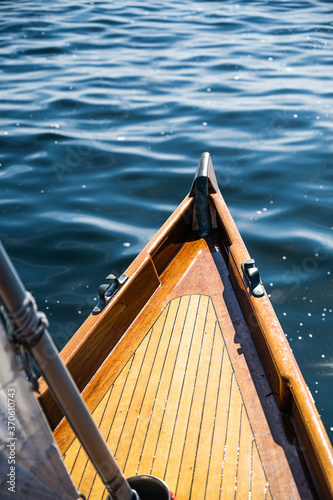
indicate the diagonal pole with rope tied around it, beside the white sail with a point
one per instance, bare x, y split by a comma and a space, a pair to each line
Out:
22, 311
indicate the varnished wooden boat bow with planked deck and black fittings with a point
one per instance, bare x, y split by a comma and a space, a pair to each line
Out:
188, 374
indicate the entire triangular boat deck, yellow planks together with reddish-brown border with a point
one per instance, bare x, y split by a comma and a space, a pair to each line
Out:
179, 397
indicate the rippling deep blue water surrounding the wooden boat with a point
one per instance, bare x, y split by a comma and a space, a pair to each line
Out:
105, 110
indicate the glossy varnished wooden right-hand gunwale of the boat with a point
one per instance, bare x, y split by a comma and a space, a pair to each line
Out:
292, 394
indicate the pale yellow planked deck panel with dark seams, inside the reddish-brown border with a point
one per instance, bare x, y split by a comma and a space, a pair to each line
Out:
175, 411
